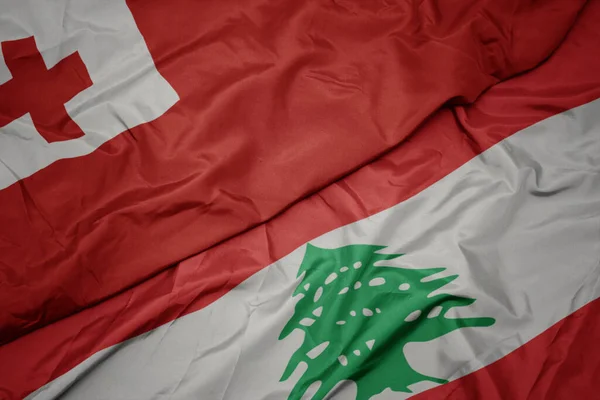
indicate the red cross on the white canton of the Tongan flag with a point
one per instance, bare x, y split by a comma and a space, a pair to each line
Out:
40, 91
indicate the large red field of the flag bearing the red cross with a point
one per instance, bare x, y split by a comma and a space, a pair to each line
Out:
277, 100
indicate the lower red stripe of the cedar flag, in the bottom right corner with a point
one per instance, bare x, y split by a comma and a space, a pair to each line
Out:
562, 363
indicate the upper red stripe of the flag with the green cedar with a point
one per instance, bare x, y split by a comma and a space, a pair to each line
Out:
447, 141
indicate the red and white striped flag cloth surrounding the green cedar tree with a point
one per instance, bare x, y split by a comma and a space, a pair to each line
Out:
178, 336
